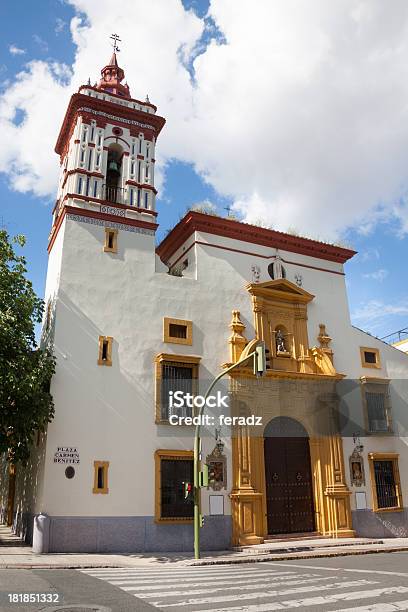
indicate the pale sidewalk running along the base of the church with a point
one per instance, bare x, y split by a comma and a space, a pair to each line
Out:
15, 554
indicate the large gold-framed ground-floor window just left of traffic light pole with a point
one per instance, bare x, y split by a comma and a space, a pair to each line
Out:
172, 469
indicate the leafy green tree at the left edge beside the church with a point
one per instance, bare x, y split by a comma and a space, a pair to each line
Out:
26, 405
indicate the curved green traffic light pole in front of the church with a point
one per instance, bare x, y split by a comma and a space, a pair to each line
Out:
258, 354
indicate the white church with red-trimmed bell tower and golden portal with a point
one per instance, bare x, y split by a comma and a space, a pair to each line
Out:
131, 321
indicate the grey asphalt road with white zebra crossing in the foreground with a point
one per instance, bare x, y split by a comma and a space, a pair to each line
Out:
364, 583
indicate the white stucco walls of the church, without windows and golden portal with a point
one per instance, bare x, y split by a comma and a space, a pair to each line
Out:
108, 414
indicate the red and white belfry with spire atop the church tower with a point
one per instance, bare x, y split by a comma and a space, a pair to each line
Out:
107, 152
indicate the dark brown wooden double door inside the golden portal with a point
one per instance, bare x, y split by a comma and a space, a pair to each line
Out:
289, 490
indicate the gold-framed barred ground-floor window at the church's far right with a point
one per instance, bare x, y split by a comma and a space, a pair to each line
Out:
385, 482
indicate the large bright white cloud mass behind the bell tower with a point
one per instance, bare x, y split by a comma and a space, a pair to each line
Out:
301, 117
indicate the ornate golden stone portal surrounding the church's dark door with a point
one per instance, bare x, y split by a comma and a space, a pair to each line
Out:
300, 384
